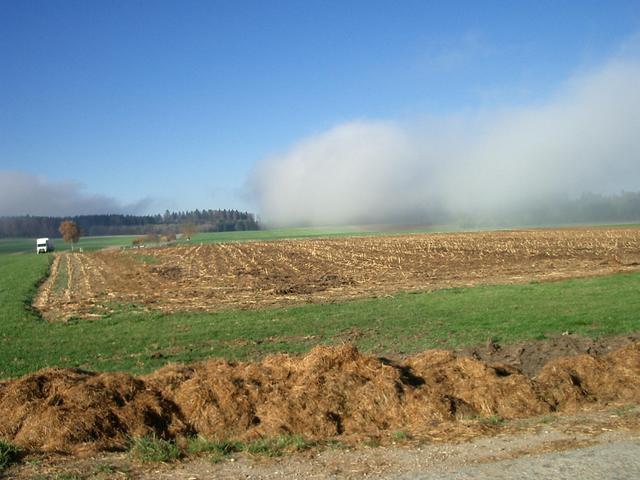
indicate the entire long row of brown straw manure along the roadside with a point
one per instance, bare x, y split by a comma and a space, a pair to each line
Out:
330, 392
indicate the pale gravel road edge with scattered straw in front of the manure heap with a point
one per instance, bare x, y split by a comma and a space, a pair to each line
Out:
592, 445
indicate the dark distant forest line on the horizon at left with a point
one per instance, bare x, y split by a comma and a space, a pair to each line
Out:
117, 224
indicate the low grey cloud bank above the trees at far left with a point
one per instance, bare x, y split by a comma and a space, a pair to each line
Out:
22, 194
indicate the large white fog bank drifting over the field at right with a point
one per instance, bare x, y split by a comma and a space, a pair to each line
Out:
584, 138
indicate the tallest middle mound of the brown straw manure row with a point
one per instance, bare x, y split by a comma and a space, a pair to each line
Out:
328, 392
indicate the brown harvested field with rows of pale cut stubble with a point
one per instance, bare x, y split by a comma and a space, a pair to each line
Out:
258, 274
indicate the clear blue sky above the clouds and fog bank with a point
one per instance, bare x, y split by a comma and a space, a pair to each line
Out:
146, 105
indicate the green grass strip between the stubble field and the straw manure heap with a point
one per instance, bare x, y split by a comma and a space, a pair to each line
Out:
140, 342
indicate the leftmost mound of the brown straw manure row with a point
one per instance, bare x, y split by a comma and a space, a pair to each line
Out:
67, 409
